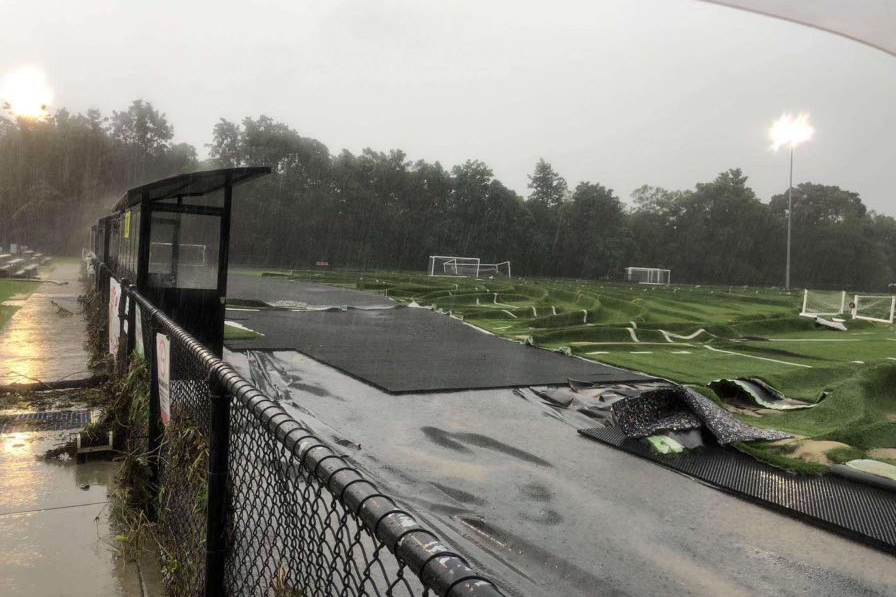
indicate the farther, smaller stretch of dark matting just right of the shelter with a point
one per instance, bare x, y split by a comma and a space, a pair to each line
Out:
273, 290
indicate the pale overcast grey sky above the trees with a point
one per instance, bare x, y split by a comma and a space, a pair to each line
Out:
621, 92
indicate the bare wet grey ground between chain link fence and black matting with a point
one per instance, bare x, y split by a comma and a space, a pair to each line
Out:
547, 512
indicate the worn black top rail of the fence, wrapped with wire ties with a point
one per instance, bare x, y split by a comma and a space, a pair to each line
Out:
439, 569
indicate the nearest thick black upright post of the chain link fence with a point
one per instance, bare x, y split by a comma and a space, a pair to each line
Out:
216, 521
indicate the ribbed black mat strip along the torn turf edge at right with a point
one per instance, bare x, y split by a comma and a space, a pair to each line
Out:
859, 511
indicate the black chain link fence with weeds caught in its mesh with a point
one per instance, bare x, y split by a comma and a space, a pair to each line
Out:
250, 502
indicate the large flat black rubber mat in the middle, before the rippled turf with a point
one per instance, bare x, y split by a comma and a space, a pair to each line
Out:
416, 350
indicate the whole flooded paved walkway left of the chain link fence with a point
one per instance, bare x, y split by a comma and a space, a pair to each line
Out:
55, 531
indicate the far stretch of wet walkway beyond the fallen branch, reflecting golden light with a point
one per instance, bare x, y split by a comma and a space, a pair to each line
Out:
44, 339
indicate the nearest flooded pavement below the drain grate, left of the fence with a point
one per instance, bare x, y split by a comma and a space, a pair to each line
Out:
54, 525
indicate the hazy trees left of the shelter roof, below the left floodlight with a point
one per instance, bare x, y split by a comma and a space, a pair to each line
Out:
60, 173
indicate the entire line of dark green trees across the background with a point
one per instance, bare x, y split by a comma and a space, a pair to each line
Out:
381, 210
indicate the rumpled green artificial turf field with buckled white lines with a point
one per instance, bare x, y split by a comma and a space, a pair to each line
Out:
692, 335
